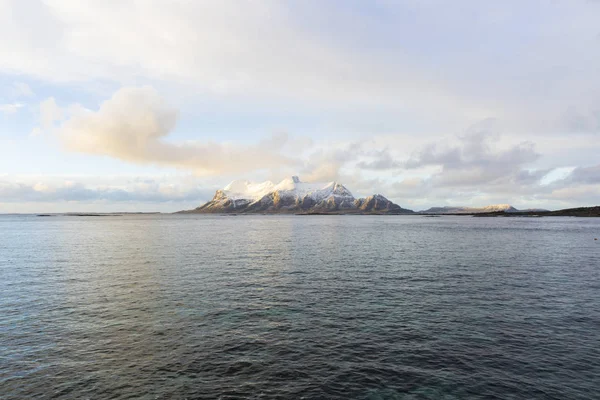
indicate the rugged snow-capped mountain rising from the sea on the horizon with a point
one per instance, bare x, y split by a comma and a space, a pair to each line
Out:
294, 196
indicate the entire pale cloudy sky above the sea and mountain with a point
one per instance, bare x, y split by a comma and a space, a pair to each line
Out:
125, 105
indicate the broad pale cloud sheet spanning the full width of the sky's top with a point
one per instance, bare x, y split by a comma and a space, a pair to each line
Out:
524, 63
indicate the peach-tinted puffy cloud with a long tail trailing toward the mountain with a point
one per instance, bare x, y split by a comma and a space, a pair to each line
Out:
133, 126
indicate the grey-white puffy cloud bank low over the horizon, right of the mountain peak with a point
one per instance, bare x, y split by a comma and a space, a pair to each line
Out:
479, 167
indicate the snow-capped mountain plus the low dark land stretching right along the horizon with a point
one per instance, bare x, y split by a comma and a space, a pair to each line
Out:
292, 196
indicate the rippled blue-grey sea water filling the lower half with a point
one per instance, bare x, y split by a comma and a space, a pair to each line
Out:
292, 307
